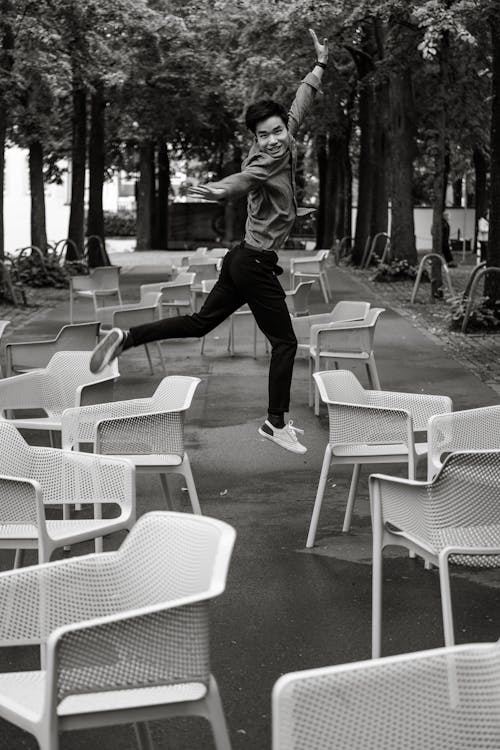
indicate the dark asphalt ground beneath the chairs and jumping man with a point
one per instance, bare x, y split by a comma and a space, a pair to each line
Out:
284, 608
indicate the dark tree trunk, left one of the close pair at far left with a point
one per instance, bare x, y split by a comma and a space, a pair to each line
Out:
76, 229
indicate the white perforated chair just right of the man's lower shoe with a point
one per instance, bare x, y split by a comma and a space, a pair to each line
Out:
369, 427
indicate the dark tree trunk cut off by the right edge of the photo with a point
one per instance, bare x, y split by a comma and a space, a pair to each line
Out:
492, 286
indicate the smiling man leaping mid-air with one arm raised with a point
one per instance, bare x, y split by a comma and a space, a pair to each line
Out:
250, 270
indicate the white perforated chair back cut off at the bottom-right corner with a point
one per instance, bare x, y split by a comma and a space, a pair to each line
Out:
444, 699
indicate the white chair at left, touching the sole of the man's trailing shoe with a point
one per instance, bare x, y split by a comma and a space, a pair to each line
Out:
22, 356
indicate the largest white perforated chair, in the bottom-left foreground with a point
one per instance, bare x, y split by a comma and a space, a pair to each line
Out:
126, 633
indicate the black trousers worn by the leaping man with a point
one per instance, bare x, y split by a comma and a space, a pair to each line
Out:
247, 276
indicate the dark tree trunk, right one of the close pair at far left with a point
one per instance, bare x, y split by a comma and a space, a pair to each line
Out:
95, 219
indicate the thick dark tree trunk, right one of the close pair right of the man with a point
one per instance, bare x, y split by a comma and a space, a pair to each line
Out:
402, 154
